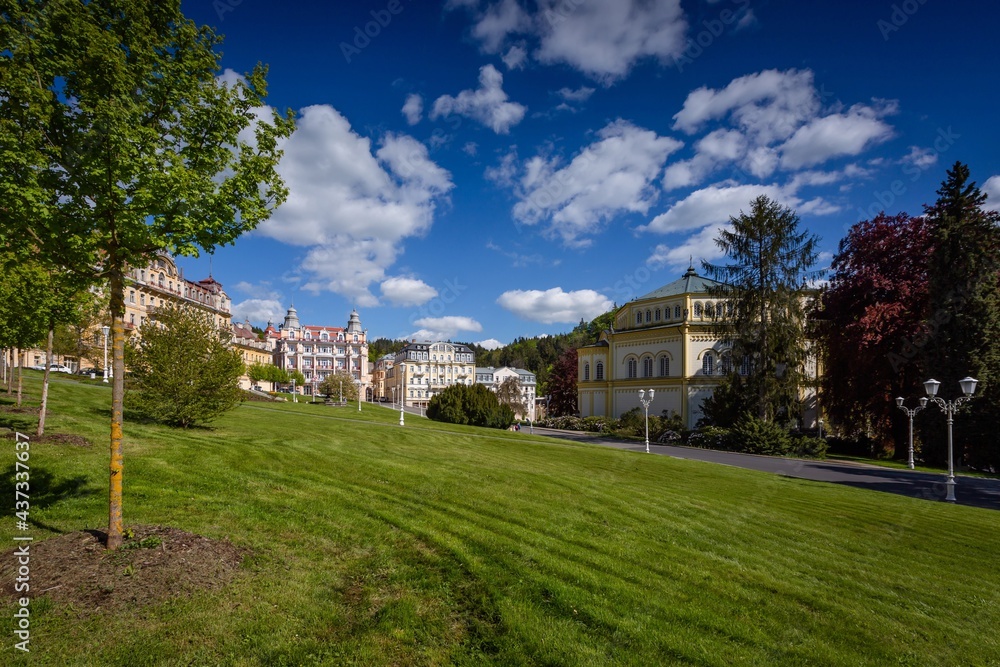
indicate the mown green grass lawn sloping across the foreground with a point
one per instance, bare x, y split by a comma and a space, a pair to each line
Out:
434, 544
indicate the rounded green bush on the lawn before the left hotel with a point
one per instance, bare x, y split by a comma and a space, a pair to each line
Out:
181, 370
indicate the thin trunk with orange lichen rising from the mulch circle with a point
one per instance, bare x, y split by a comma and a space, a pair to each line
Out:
117, 307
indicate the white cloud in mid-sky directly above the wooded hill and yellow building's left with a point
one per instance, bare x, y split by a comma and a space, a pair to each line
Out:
613, 175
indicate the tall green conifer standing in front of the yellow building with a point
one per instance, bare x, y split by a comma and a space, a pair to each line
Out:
769, 260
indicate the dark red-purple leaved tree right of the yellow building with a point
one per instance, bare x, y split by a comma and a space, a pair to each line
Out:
875, 301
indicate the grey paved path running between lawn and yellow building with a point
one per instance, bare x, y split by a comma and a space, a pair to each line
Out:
975, 491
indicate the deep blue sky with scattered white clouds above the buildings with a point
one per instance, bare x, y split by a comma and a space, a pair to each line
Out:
481, 170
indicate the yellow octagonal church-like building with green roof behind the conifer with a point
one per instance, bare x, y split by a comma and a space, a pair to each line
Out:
664, 341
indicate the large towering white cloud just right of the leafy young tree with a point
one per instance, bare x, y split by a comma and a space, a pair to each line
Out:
351, 207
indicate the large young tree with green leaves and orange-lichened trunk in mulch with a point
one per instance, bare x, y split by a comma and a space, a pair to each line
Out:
120, 140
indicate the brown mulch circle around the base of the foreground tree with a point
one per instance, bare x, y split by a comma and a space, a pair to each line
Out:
155, 563
